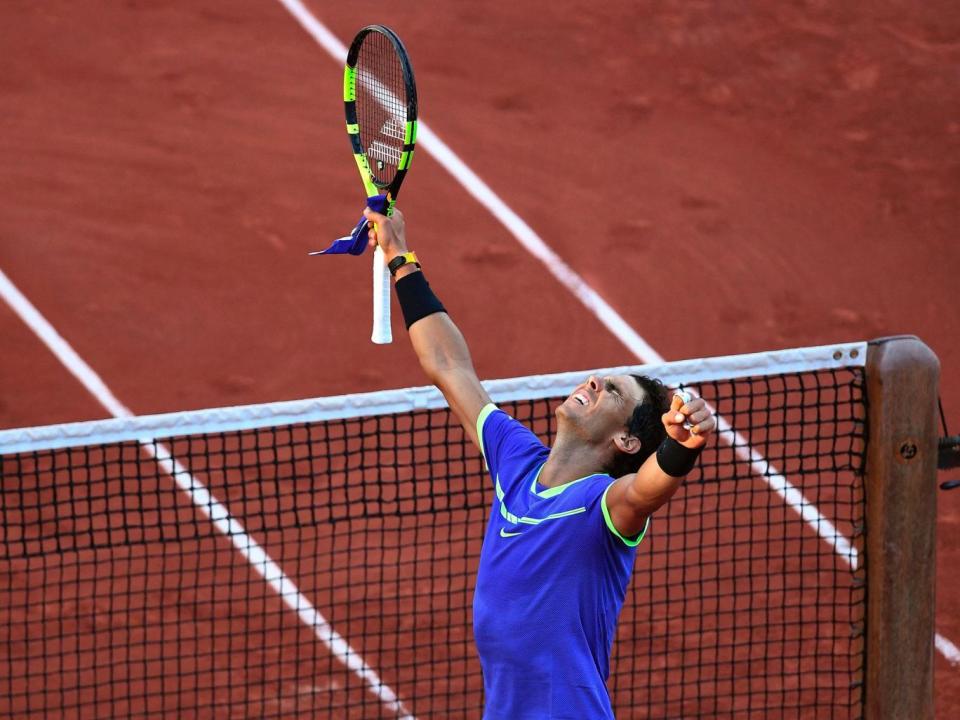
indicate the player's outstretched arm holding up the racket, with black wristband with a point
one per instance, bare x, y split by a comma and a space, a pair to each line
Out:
439, 345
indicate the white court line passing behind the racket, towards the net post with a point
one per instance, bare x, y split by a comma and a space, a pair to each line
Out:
602, 310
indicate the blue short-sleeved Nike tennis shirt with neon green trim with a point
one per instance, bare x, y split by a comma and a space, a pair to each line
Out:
552, 579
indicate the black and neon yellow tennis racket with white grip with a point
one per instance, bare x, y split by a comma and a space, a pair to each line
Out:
380, 99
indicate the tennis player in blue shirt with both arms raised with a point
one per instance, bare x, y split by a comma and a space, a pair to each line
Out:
566, 520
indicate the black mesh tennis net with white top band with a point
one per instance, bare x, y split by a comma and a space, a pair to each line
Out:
318, 557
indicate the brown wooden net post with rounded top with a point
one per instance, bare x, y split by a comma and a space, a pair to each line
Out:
902, 379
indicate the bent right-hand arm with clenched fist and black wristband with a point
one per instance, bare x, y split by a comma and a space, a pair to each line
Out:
633, 498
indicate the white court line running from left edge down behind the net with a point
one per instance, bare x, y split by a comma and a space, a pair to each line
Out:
218, 514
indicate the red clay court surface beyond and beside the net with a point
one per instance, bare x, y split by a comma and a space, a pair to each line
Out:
735, 179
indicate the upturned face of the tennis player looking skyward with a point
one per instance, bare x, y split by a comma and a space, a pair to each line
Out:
602, 405
